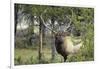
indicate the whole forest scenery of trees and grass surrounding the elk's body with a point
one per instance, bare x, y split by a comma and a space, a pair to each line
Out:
34, 39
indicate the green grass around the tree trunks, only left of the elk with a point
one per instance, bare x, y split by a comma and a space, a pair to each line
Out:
30, 56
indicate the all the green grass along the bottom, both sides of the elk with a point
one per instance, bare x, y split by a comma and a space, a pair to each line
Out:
30, 56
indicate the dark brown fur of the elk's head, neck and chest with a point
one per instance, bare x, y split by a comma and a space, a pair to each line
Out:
59, 41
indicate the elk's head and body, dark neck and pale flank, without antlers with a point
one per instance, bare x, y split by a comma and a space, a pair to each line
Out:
64, 45
